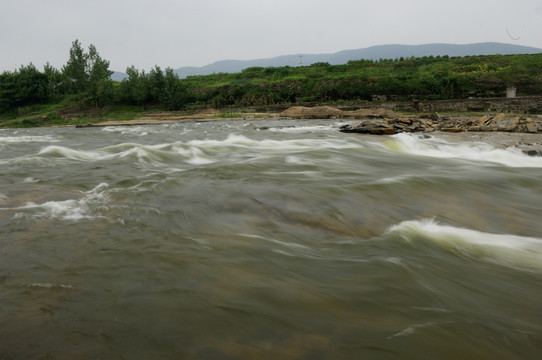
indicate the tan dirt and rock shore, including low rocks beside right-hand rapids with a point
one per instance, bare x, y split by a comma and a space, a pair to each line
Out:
499, 130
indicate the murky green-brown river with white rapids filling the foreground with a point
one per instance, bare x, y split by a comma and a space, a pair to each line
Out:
265, 240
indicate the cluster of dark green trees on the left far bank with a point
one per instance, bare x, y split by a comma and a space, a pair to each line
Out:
86, 77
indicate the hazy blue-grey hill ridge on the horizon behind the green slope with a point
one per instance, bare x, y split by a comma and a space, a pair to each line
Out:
342, 57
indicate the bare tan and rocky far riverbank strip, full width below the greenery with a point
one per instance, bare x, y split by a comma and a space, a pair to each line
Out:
374, 121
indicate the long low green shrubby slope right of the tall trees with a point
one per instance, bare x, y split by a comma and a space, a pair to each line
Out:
428, 78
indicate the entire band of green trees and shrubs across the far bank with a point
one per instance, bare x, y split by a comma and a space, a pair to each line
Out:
83, 90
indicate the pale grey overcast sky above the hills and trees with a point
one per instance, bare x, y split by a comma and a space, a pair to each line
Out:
179, 33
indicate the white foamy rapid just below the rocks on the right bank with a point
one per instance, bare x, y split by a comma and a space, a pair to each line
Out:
473, 151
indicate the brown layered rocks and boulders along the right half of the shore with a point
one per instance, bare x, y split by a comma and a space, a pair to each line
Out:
522, 132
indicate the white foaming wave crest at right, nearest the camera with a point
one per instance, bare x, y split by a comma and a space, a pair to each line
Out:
511, 250
